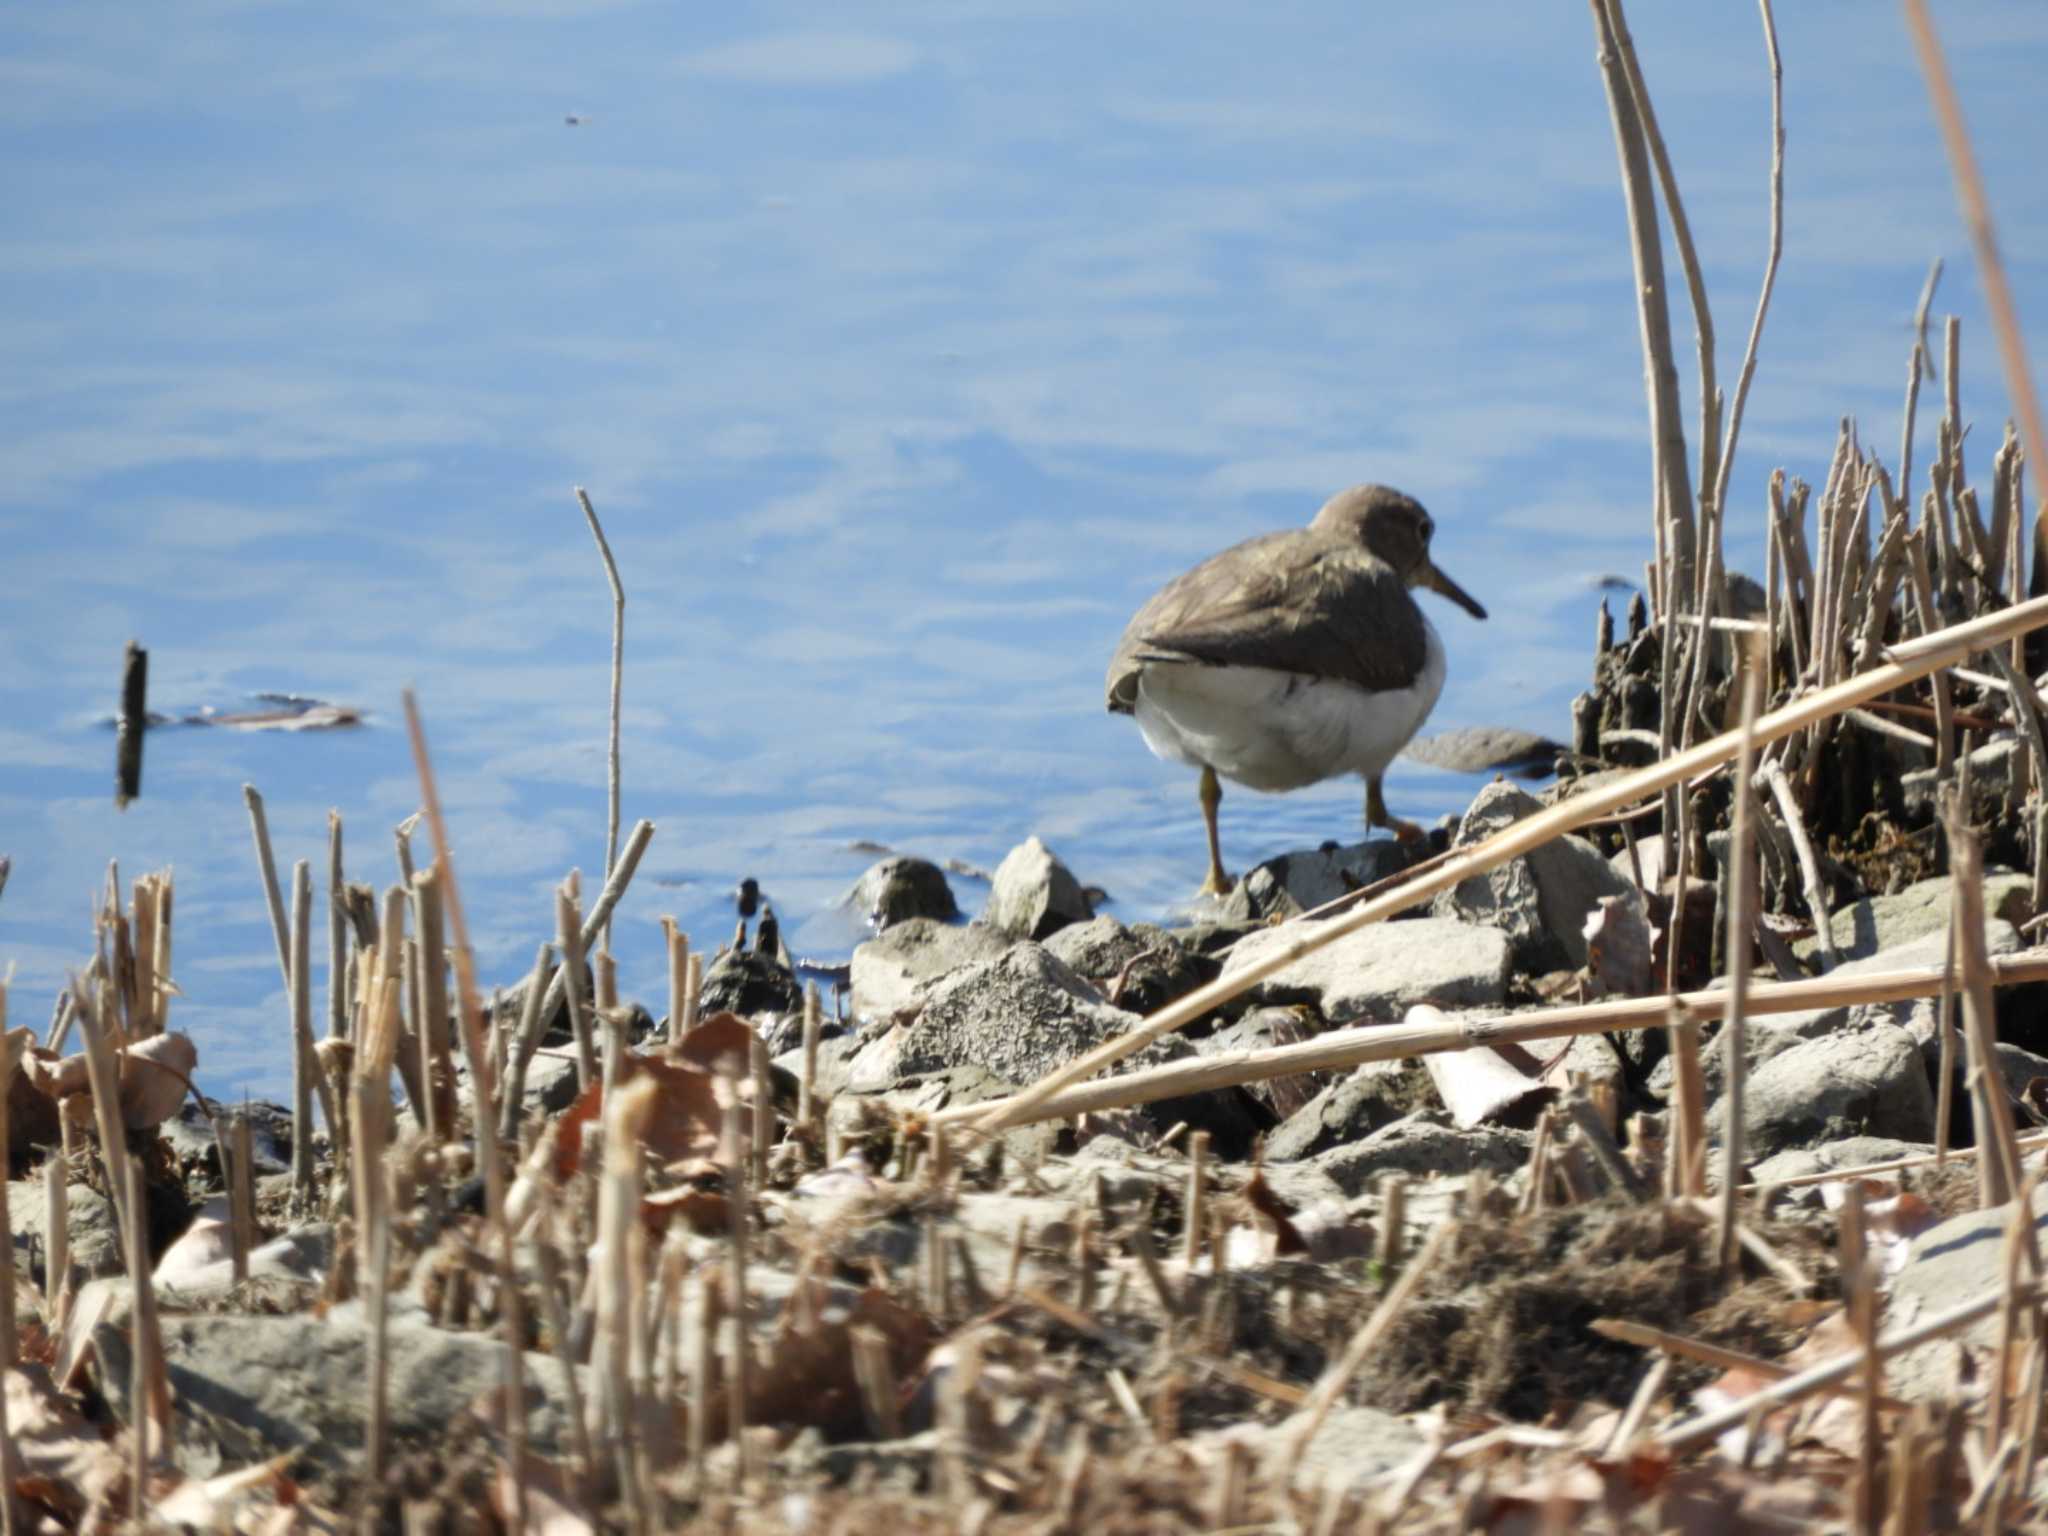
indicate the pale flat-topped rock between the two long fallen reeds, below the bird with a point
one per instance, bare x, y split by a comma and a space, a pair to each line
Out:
1385, 970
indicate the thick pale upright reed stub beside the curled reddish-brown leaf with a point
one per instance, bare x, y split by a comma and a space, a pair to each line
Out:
620, 1195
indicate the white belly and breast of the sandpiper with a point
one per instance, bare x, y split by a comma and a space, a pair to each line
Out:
1281, 730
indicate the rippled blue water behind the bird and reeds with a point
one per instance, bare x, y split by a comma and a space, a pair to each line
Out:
904, 357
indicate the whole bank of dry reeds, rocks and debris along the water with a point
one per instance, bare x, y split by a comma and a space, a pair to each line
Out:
1478, 1187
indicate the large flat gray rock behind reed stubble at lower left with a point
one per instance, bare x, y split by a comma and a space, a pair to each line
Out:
255, 1388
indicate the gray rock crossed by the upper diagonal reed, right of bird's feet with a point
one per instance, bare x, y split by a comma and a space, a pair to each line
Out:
1539, 900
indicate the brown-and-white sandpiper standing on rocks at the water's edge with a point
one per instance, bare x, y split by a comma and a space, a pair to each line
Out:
1293, 656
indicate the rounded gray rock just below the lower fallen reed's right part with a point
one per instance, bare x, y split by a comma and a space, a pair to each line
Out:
1850, 1084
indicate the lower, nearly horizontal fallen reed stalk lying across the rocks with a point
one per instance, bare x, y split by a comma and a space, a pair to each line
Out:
1353, 1048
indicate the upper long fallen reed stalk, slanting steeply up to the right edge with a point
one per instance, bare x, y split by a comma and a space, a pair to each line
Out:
1912, 660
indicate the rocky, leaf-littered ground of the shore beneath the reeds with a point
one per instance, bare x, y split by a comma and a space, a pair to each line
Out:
1299, 1297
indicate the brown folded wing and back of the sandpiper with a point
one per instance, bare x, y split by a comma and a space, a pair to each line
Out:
1285, 601
